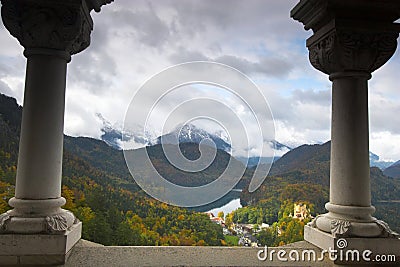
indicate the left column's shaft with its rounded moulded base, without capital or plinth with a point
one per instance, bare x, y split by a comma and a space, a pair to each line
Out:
38, 181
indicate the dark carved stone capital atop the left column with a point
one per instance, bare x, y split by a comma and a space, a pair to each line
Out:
47, 24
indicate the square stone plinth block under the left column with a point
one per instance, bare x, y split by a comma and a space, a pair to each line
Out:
38, 249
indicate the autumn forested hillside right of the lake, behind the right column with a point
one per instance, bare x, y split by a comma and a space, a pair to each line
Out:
302, 175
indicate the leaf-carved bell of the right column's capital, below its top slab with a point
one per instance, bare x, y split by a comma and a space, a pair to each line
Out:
351, 50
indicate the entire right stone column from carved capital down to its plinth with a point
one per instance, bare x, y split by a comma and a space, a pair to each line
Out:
350, 41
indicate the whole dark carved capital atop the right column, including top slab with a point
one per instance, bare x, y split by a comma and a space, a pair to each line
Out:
358, 35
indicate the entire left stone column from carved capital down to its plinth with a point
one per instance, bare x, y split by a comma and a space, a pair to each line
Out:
50, 31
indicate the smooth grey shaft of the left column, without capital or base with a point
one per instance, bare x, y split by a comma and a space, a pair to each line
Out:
41, 141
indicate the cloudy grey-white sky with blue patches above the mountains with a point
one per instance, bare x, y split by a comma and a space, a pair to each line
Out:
134, 40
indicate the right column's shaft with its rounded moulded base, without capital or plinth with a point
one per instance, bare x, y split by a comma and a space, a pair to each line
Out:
349, 207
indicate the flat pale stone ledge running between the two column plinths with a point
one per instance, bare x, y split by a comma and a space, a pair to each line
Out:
83, 254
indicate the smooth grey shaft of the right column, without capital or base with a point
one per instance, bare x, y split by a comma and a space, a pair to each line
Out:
350, 179
